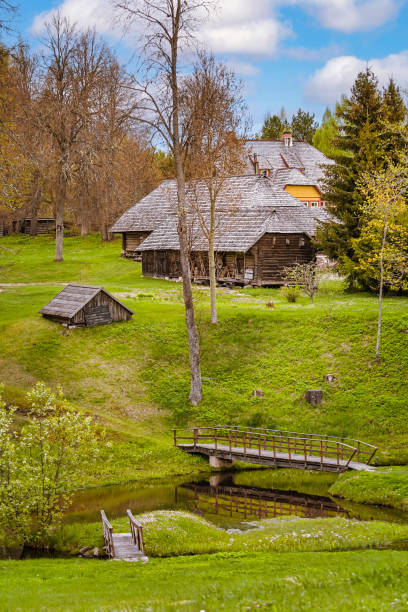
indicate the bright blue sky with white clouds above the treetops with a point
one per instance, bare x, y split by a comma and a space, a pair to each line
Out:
291, 53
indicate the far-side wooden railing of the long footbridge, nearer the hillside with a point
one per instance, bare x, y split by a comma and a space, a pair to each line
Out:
364, 452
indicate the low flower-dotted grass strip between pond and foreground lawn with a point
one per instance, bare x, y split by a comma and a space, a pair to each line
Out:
170, 533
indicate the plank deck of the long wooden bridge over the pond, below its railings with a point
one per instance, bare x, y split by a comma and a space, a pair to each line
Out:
280, 459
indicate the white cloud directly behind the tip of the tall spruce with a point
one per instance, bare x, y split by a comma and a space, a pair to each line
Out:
338, 75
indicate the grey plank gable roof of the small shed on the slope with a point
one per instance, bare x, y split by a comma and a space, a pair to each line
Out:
72, 298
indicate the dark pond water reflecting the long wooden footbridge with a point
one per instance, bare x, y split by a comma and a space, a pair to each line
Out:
228, 499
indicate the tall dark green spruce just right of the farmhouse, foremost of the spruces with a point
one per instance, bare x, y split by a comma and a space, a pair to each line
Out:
359, 147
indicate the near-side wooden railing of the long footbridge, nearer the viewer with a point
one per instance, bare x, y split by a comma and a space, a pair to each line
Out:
245, 442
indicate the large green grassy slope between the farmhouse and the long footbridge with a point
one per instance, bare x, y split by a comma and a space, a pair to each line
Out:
134, 376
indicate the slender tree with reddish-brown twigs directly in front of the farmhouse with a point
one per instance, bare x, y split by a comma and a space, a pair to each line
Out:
214, 113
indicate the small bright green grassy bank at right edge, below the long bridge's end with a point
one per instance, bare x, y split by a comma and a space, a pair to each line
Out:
386, 486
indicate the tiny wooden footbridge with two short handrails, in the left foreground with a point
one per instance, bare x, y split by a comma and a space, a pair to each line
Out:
124, 546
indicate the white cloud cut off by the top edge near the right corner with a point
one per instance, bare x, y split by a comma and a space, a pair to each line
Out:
352, 15
